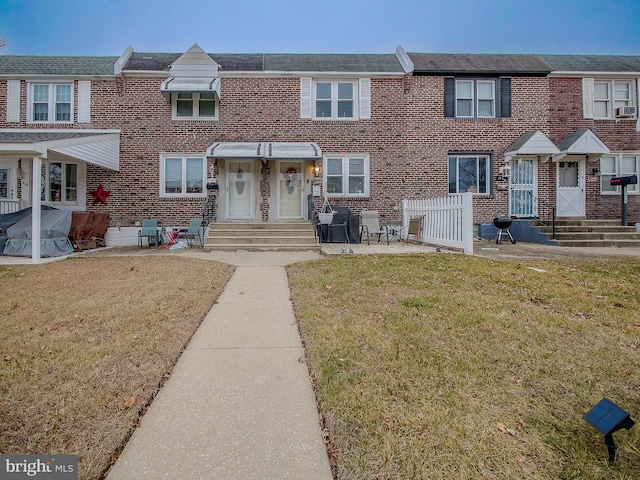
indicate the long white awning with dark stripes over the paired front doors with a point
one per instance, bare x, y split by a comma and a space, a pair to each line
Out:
265, 150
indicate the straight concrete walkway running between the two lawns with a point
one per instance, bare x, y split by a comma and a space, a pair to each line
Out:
239, 404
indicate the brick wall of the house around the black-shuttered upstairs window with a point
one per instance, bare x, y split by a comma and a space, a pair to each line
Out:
430, 137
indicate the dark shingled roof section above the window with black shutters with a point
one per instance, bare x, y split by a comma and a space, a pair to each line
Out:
478, 64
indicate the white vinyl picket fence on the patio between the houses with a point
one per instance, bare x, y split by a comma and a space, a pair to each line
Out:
447, 221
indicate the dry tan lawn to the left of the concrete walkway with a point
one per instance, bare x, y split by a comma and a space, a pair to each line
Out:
86, 344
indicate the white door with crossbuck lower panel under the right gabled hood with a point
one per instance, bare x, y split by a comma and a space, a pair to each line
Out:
570, 197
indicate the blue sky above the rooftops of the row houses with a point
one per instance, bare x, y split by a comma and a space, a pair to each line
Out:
107, 27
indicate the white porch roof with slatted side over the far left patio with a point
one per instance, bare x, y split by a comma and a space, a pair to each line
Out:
98, 147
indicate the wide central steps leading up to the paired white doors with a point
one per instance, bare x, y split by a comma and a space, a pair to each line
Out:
283, 236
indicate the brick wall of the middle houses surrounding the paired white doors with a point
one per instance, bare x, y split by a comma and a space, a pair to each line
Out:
252, 110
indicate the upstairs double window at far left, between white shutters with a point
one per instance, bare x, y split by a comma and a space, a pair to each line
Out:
51, 103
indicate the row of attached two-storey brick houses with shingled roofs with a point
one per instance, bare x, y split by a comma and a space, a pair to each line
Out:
264, 137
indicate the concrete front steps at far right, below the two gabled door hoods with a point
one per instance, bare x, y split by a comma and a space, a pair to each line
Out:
578, 232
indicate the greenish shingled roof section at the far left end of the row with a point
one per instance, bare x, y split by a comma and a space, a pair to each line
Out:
41, 65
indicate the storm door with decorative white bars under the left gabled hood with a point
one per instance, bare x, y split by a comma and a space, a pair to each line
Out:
522, 188
